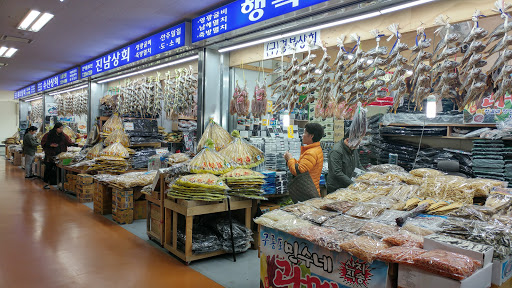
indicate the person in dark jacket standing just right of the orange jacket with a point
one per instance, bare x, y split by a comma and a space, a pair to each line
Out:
343, 160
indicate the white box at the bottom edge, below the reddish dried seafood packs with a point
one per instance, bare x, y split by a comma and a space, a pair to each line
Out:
412, 277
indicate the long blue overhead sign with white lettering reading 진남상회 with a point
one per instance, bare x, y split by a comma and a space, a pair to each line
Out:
160, 42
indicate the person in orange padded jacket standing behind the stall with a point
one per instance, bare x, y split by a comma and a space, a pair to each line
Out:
311, 156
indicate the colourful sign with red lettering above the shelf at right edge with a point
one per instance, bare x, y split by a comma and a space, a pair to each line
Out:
488, 111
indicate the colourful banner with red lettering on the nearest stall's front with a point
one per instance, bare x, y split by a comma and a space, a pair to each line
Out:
287, 261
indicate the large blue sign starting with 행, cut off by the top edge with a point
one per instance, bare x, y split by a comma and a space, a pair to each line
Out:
243, 13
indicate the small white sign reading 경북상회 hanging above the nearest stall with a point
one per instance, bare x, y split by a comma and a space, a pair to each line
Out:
272, 49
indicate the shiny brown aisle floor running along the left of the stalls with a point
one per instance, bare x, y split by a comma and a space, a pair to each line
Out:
50, 240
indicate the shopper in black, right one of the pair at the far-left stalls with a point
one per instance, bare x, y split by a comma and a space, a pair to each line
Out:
54, 143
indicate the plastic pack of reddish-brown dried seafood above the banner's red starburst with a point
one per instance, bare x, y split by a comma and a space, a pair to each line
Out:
364, 248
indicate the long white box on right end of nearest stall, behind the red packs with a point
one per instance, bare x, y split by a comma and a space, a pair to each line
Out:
432, 242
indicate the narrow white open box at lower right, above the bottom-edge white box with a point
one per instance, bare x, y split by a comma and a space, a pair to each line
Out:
484, 257
